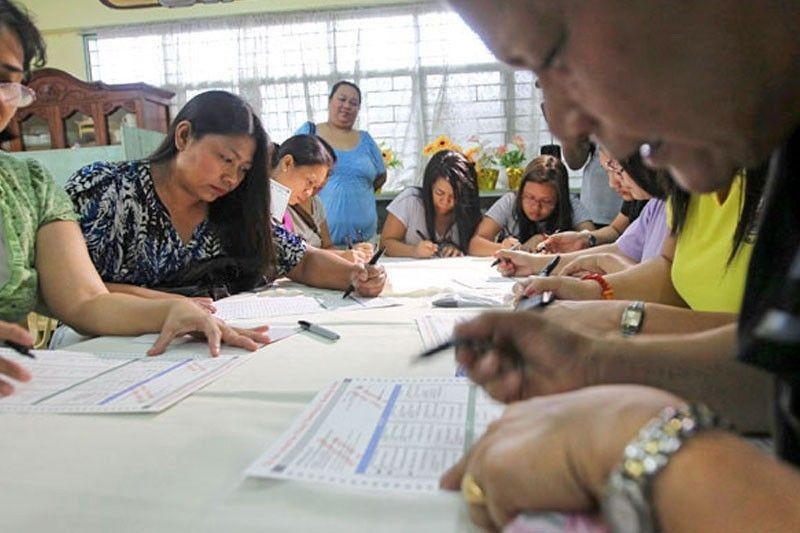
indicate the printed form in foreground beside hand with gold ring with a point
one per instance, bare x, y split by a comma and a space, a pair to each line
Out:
381, 433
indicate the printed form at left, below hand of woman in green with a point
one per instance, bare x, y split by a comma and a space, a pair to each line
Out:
73, 382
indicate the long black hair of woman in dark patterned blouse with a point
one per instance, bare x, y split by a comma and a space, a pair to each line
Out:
241, 216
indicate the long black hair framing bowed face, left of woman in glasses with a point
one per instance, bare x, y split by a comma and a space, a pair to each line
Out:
459, 172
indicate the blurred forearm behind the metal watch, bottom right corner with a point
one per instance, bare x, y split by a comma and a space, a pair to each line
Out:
718, 482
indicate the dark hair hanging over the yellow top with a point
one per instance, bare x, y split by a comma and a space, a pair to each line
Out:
755, 180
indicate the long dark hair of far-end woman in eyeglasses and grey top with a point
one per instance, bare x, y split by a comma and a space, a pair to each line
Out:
547, 170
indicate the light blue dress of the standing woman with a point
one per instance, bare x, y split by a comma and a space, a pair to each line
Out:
349, 195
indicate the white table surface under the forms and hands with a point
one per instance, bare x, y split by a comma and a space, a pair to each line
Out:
182, 470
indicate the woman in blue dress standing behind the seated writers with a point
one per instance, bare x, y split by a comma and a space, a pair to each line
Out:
349, 196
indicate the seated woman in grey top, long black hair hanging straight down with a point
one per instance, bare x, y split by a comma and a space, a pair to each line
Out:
439, 218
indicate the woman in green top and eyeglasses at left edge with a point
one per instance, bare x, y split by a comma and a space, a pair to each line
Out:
44, 263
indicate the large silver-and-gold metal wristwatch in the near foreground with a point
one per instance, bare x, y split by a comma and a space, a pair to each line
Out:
626, 502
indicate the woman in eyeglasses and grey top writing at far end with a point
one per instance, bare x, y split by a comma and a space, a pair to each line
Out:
541, 206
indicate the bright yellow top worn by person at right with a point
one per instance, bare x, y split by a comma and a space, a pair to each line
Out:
700, 270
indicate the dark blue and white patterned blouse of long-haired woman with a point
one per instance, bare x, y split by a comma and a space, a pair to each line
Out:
129, 232
